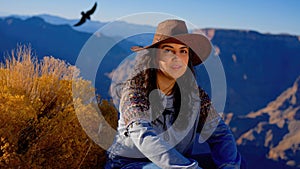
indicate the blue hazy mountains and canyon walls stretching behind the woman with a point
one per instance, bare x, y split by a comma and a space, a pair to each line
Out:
262, 74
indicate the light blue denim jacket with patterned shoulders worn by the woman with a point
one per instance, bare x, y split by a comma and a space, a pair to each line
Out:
140, 139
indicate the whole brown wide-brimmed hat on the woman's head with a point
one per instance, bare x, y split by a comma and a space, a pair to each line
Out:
176, 31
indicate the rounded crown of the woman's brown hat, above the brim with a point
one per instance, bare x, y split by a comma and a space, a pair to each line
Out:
169, 28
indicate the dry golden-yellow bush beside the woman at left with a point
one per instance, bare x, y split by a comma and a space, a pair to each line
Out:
38, 124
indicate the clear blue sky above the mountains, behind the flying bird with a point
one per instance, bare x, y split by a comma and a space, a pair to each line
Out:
265, 16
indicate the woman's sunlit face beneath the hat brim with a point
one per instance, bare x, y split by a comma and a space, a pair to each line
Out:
172, 59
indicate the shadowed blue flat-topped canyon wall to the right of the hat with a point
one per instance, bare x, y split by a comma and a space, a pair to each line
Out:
260, 65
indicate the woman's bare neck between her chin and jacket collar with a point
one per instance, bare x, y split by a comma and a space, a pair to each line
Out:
165, 83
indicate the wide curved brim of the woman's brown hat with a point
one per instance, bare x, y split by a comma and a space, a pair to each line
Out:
200, 45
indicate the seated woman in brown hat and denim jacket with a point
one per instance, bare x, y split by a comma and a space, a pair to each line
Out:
162, 108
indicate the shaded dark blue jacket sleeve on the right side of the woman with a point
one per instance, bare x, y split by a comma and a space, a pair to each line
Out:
218, 135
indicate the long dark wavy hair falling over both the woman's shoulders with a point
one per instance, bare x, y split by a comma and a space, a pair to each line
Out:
145, 82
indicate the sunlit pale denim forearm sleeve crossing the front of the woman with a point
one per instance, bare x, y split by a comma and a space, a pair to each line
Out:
156, 149
